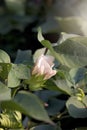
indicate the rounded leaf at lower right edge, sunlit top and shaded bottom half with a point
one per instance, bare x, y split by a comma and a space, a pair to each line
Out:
76, 108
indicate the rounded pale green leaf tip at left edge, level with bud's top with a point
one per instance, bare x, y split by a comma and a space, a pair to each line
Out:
4, 57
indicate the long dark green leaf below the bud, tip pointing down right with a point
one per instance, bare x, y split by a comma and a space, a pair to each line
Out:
28, 104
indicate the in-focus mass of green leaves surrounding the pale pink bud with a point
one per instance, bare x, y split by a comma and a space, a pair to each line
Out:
44, 102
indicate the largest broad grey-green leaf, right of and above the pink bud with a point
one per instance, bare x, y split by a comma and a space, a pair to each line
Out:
72, 52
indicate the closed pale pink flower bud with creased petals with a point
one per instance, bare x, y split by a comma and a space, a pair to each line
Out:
44, 66
